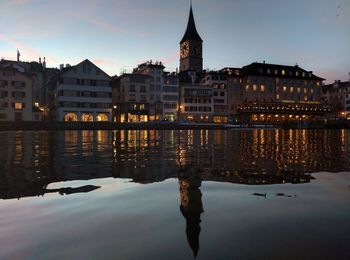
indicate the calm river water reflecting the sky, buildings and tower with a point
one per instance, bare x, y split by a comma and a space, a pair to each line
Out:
210, 194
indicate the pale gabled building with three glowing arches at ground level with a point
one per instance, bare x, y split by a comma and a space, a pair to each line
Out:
81, 93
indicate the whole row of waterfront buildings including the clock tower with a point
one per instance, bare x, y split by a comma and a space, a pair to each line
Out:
256, 93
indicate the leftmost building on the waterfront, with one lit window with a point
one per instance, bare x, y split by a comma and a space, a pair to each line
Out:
16, 95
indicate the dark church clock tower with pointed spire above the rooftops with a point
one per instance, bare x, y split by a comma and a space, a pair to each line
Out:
191, 48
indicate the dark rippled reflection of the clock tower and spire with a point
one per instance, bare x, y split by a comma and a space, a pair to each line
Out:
191, 206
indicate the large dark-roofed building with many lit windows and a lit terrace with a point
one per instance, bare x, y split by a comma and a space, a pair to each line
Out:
280, 94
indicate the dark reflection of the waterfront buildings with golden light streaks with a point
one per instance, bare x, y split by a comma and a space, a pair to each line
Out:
29, 161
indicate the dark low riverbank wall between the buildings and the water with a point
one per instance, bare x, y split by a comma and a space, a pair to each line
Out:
50, 126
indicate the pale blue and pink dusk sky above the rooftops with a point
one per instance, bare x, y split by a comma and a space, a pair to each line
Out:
119, 34
